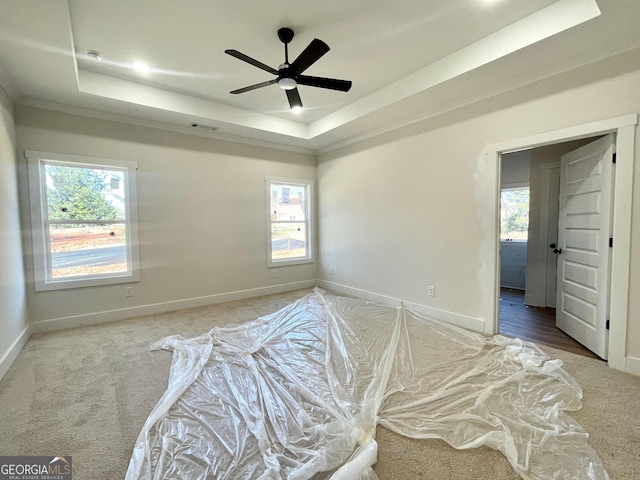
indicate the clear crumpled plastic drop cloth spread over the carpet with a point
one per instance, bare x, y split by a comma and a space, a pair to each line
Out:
298, 394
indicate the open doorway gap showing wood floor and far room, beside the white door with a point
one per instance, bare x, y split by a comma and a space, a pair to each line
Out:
527, 301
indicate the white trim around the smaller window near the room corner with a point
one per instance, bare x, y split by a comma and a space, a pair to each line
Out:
310, 219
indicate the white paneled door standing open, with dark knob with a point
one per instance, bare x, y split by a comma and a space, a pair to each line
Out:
584, 226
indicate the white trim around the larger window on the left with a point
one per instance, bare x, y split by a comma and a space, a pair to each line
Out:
37, 195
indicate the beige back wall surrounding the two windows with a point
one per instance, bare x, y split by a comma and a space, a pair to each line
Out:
202, 217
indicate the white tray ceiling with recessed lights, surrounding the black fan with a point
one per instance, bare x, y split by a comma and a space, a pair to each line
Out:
407, 60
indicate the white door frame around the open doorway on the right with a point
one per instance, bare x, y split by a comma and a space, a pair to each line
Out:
624, 128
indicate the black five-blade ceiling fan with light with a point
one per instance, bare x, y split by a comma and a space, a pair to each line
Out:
289, 75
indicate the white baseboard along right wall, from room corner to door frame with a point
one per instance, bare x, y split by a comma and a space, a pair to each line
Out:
463, 321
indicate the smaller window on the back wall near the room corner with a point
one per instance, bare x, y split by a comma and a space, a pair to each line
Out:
290, 231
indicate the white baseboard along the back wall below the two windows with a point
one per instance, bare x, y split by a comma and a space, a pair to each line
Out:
121, 314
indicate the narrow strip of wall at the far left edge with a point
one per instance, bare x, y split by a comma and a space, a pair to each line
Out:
13, 305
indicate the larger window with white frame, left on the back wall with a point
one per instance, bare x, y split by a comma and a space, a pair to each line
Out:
84, 222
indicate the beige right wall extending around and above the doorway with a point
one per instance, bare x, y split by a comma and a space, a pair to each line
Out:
411, 208
